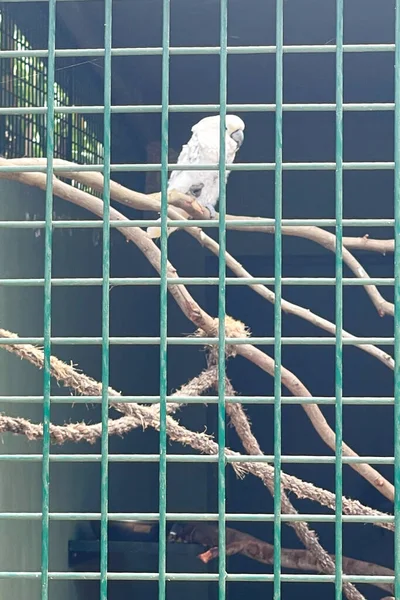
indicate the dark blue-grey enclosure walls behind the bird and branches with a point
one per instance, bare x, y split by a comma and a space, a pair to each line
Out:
308, 136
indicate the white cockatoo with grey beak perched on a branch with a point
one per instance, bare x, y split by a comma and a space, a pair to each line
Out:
203, 148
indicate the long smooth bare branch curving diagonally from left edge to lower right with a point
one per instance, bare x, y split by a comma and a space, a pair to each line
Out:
202, 320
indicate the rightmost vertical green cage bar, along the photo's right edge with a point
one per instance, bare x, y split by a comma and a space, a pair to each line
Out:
397, 303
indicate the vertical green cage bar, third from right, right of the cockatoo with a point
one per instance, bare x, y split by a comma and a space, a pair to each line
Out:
278, 298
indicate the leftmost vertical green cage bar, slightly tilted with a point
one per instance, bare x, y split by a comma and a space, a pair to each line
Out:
47, 302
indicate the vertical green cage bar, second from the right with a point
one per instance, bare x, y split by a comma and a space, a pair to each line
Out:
339, 301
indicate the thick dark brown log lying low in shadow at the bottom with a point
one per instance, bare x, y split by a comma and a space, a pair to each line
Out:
237, 542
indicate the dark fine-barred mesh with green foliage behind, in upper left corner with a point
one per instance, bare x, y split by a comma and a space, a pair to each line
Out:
23, 85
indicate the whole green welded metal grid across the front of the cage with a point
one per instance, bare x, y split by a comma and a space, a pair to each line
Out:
50, 111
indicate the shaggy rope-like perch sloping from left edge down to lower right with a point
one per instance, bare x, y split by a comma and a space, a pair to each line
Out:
143, 416
